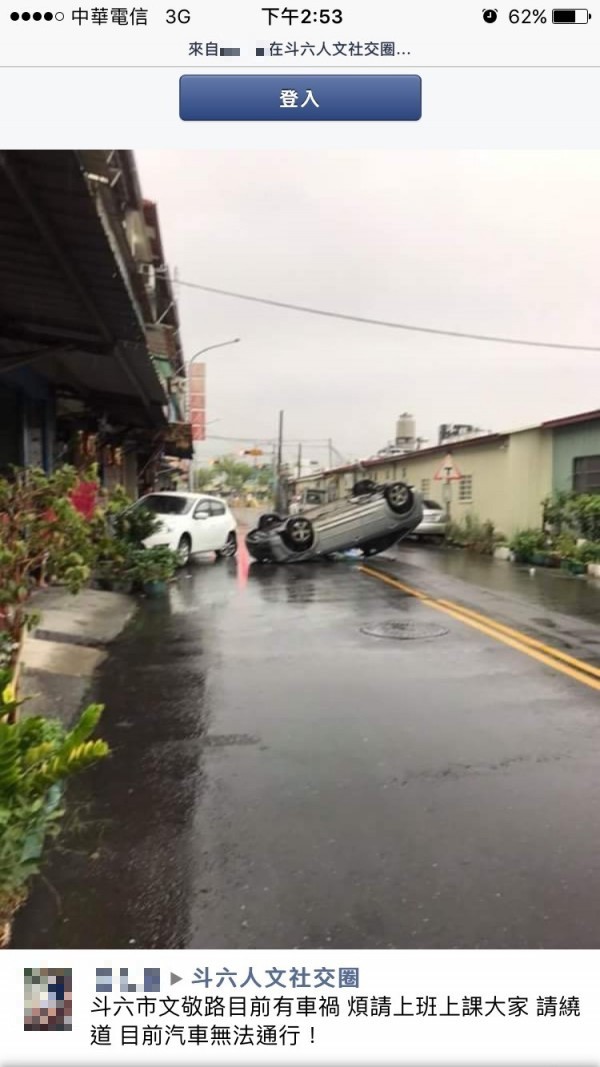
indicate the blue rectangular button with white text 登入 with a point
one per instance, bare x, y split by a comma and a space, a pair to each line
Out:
301, 99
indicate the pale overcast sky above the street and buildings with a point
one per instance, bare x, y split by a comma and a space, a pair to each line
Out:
496, 243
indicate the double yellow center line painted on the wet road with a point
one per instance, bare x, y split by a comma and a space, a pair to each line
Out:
576, 670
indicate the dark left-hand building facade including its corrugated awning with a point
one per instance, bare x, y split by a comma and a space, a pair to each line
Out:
77, 379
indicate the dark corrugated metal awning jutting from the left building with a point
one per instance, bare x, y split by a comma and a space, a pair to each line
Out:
66, 308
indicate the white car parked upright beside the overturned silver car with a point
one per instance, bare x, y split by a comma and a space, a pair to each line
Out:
192, 523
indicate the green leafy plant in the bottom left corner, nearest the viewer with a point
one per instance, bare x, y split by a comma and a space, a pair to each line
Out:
37, 757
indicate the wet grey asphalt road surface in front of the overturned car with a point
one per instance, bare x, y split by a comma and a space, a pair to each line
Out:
281, 779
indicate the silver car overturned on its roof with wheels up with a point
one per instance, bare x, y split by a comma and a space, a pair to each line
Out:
372, 519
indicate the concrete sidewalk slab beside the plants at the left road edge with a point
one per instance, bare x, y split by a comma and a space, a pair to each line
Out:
62, 654
